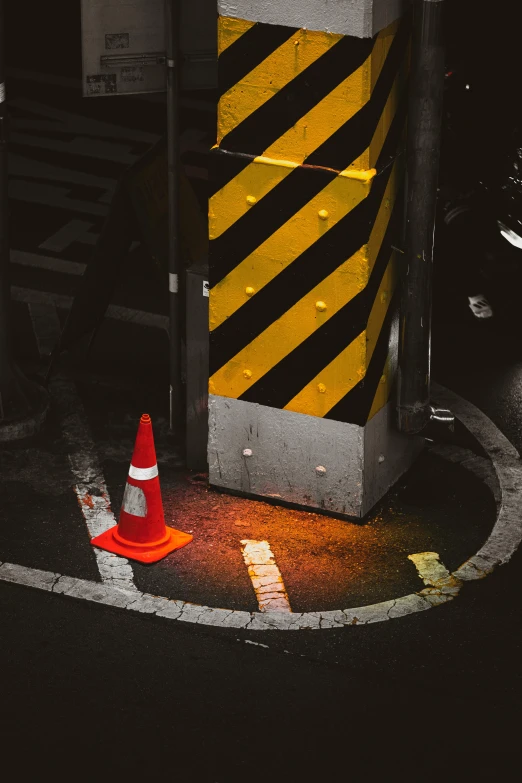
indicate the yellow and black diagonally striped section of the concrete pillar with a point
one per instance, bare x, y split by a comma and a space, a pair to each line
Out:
276, 251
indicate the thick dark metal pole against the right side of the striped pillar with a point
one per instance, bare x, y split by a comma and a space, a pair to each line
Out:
424, 128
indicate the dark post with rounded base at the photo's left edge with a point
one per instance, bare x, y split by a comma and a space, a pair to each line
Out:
23, 404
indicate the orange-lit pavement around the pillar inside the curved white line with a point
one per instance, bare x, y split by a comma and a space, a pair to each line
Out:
295, 570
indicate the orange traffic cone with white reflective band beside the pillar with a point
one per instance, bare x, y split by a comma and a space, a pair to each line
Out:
141, 533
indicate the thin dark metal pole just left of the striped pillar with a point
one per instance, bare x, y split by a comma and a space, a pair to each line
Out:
172, 26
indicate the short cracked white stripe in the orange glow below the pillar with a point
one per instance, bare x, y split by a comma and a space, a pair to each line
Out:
265, 576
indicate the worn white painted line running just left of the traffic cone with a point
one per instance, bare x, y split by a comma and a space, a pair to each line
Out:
90, 487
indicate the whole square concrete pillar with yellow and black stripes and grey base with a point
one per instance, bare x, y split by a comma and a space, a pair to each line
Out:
307, 196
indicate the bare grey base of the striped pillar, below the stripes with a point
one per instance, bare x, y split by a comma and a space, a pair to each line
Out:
305, 460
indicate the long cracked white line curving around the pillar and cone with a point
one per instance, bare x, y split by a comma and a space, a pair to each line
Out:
441, 586
